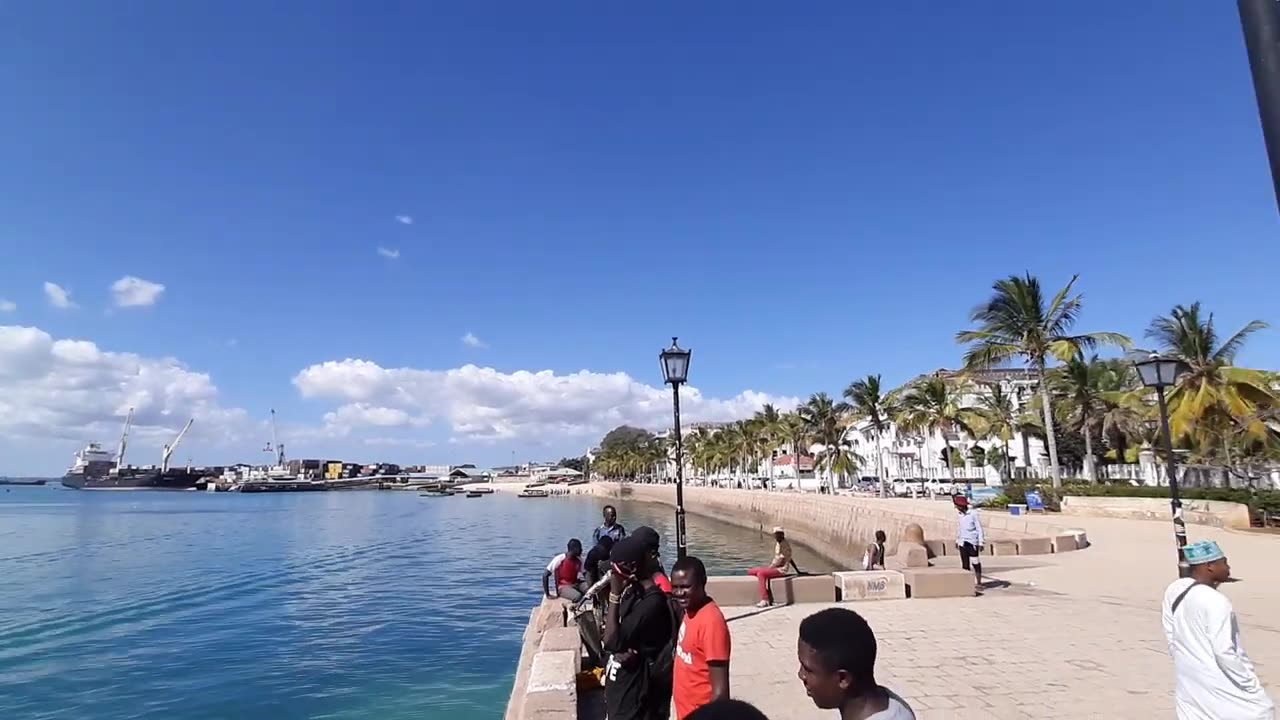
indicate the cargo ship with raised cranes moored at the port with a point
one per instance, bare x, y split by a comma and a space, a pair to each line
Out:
98, 470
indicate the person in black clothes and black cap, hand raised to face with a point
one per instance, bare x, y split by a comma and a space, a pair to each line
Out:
639, 634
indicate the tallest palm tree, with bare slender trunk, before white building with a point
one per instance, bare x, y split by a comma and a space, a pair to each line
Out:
1016, 323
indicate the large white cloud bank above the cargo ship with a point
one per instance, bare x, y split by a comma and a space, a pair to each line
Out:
75, 391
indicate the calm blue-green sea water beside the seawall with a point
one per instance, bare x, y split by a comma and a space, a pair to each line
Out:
344, 605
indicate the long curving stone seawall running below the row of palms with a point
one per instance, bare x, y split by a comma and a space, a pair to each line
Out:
840, 527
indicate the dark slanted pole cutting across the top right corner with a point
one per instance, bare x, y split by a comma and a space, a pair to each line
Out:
1260, 20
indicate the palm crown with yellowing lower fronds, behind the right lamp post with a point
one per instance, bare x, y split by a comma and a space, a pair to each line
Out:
1214, 395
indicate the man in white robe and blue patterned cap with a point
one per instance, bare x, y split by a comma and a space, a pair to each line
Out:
1214, 680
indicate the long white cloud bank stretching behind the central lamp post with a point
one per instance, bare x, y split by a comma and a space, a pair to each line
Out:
483, 404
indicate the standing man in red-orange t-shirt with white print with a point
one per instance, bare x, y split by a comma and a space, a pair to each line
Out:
703, 645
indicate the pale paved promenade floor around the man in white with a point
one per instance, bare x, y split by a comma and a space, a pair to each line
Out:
1072, 636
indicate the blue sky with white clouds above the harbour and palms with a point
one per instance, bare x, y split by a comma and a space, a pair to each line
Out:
804, 195
